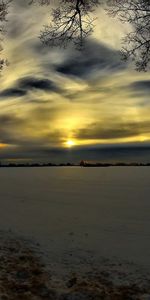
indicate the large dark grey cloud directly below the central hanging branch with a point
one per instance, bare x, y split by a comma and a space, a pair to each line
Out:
93, 58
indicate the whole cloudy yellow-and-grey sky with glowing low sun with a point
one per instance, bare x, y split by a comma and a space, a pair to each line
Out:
64, 105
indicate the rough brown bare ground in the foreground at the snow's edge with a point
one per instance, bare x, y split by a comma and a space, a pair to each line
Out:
24, 277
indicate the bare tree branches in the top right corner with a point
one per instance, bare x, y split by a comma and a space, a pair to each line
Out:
136, 44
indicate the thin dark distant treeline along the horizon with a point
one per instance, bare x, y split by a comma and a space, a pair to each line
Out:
81, 164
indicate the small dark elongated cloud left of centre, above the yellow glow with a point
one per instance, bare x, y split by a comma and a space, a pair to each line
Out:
29, 83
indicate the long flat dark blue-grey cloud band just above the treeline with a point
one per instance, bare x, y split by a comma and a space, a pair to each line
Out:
129, 153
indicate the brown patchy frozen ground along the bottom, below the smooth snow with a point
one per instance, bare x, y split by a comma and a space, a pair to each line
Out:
24, 276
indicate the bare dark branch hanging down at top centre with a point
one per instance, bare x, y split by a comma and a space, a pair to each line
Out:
72, 22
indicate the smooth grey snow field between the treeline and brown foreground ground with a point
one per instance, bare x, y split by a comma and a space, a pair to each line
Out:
80, 215
